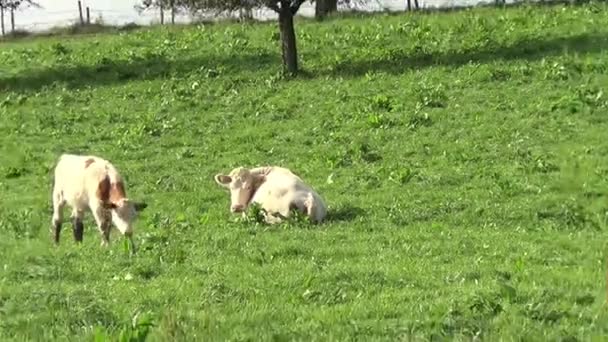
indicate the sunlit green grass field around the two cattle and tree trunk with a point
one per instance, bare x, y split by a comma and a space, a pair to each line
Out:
463, 156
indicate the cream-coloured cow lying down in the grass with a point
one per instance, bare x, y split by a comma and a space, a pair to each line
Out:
277, 190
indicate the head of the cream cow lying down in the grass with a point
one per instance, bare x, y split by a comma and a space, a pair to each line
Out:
242, 184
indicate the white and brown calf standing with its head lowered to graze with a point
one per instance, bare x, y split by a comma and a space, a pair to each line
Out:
91, 182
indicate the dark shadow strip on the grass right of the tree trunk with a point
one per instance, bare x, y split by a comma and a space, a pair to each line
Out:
527, 49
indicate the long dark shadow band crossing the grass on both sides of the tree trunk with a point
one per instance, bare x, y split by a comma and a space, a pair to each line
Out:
108, 71
